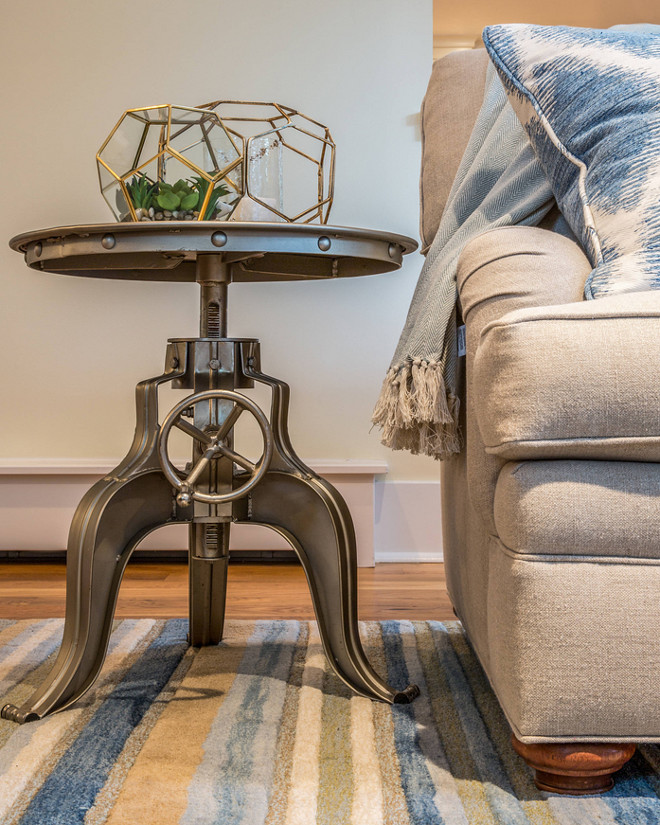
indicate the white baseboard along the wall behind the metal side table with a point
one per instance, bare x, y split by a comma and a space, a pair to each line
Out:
395, 521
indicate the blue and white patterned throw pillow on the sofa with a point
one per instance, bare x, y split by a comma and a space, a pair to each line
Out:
589, 100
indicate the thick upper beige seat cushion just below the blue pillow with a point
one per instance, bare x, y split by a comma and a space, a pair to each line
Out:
572, 381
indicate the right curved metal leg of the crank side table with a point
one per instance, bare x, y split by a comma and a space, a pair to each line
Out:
315, 520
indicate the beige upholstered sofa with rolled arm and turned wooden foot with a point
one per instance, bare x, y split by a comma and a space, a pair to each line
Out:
551, 512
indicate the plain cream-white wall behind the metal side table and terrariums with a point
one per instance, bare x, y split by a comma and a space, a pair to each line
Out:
74, 348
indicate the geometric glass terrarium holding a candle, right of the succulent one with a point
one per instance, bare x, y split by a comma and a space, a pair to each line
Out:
289, 162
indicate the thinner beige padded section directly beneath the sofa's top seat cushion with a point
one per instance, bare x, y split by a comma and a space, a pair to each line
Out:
580, 508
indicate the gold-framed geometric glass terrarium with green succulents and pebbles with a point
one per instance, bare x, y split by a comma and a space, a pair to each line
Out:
171, 163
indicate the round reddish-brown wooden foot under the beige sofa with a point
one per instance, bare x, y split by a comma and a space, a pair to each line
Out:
574, 768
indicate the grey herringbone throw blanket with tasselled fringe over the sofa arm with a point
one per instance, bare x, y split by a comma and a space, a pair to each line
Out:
499, 182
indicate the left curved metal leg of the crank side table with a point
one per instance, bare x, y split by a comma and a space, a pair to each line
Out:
110, 520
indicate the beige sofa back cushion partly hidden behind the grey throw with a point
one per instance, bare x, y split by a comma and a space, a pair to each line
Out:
453, 99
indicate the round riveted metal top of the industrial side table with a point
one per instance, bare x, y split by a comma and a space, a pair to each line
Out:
168, 250
